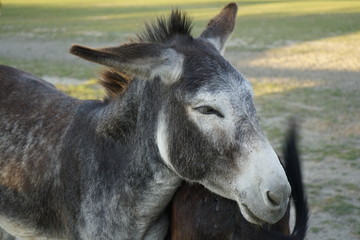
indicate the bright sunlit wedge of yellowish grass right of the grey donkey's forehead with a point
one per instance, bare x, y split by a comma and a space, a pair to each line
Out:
334, 53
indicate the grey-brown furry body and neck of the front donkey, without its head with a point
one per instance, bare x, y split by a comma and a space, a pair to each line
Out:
63, 177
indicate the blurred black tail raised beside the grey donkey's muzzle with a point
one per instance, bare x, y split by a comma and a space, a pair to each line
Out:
293, 171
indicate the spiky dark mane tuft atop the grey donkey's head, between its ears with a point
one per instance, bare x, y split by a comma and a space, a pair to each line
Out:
164, 29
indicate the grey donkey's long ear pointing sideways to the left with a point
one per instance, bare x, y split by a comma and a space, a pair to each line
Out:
142, 60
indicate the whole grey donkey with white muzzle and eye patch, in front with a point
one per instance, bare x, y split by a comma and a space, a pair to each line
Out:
72, 169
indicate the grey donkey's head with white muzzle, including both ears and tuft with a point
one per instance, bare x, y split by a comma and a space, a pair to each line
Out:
207, 130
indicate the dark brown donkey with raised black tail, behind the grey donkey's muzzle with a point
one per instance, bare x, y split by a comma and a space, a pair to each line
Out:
198, 214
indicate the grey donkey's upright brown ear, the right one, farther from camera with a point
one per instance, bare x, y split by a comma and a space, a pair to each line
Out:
220, 27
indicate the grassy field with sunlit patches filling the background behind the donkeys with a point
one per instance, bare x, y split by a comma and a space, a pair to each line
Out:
302, 58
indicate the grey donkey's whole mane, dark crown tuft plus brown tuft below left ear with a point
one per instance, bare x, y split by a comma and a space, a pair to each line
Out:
163, 29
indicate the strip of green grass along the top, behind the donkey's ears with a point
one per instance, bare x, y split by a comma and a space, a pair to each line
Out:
260, 23
